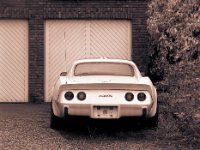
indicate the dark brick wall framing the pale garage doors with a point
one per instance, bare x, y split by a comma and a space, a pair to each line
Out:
37, 11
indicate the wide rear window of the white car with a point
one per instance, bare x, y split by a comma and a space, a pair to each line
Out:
102, 68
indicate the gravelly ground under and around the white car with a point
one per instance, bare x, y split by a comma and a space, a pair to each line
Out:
26, 126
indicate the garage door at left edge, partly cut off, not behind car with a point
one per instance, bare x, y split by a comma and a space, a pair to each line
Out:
13, 61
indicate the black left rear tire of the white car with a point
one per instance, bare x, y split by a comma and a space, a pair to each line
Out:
55, 122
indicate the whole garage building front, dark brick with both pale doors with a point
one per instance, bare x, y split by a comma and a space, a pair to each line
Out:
34, 32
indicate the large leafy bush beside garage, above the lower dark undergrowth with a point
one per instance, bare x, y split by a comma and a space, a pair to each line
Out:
174, 28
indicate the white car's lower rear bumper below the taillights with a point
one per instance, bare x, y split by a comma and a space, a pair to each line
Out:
62, 110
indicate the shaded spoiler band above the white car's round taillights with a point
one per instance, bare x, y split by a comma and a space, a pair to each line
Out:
109, 86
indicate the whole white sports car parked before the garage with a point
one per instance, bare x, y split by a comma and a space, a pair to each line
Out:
103, 89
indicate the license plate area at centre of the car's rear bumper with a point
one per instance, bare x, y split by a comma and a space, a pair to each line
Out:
105, 111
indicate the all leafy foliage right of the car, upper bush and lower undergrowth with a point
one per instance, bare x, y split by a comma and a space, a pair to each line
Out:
174, 28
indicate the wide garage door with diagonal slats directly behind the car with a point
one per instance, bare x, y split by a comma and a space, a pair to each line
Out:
67, 41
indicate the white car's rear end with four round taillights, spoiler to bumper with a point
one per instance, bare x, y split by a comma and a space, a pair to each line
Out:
105, 101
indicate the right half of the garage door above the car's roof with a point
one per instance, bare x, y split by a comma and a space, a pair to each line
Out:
112, 36
